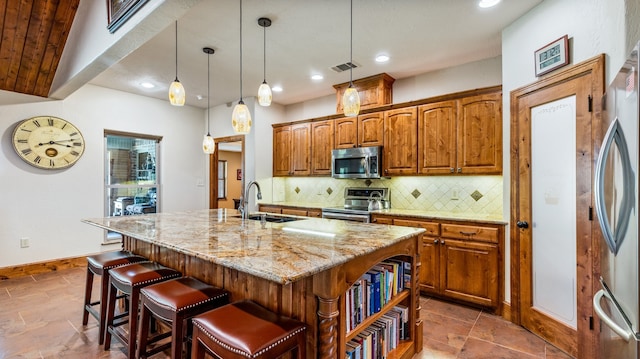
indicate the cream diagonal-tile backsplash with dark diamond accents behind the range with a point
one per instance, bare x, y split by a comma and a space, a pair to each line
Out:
453, 194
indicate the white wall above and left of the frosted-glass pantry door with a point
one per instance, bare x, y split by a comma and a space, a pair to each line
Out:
593, 27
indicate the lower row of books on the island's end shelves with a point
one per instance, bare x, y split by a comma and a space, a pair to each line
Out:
382, 336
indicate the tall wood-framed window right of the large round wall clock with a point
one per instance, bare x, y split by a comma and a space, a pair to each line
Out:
131, 175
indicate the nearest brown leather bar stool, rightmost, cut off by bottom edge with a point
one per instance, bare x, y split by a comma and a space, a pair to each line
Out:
244, 329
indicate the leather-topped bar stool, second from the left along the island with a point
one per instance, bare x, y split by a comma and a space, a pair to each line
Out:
129, 279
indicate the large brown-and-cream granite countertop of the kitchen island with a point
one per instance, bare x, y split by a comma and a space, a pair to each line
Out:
280, 252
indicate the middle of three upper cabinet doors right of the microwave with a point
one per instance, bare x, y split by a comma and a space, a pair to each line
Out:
437, 137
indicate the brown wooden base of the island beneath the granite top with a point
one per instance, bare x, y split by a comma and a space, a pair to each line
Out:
317, 300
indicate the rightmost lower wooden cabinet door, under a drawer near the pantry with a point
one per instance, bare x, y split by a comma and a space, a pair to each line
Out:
469, 271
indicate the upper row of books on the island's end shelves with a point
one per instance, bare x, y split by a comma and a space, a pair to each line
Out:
371, 292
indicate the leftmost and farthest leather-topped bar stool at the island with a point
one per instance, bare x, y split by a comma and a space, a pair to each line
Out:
100, 264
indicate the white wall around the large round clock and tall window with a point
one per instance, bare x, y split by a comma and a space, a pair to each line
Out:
47, 206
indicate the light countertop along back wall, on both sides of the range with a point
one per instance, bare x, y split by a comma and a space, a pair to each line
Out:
416, 213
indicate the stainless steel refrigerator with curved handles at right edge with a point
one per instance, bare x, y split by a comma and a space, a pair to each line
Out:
616, 201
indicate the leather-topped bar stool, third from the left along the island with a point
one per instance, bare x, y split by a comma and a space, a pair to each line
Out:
175, 302
